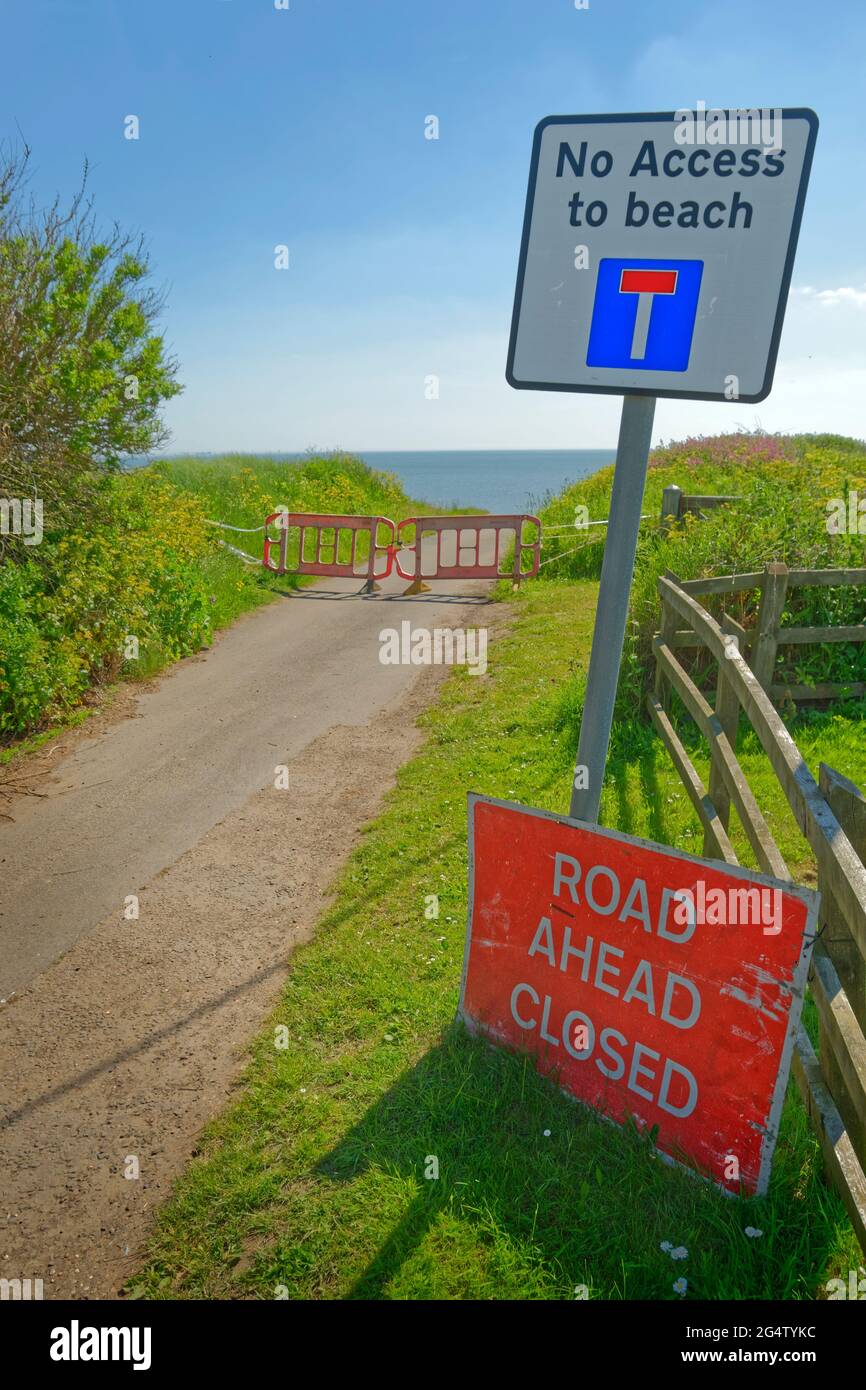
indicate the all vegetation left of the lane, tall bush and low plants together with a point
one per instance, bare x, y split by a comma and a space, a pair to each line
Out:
126, 575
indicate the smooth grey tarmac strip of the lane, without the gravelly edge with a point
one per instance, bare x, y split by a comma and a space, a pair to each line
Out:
129, 803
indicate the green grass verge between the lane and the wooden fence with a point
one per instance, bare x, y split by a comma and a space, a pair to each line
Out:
313, 1184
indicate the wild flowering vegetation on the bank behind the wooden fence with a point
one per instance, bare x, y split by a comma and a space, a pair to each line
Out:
785, 487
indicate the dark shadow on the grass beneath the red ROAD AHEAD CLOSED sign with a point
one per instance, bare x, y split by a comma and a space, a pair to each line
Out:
555, 1193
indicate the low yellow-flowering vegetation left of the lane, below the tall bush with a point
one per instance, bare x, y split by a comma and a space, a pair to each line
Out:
141, 561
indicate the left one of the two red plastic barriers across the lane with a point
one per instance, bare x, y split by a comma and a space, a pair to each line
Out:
329, 546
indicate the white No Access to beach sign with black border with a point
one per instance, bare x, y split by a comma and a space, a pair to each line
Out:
657, 252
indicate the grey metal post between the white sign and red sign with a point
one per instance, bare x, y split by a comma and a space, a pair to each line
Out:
618, 569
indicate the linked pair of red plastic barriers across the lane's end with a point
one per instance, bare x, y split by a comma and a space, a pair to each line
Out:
462, 548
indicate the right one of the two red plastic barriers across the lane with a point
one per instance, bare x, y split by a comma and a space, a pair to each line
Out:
476, 553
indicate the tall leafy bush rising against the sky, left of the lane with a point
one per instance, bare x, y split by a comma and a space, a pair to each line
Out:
83, 370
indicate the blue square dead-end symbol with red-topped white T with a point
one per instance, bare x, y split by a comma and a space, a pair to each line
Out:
644, 315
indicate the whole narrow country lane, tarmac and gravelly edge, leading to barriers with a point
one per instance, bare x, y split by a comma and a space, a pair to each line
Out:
120, 1039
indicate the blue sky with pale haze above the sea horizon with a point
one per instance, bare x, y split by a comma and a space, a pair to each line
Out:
307, 127
